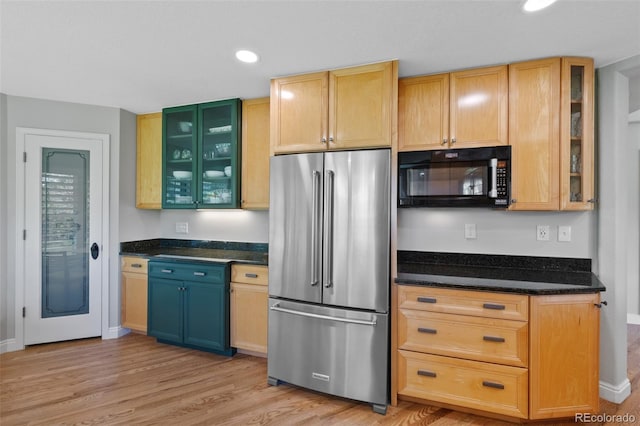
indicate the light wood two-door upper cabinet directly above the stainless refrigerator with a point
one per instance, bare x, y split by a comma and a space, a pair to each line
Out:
342, 109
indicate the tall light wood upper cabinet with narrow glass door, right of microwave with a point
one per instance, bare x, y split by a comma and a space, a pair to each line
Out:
551, 134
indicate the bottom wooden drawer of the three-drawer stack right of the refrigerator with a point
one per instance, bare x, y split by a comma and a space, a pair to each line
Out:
489, 387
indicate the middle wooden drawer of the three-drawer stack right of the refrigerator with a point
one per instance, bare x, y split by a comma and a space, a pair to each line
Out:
481, 339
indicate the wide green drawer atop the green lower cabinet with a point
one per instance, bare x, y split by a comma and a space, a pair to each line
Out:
198, 272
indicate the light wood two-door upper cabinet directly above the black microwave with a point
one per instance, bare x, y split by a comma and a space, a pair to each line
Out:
457, 110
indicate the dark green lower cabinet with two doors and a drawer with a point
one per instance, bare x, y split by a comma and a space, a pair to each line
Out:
189, 304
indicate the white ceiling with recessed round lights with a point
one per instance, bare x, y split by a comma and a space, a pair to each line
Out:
145, 55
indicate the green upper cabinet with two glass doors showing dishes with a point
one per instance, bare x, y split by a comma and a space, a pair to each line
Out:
200, 155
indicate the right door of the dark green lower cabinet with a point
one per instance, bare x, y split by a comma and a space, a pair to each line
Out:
206, 316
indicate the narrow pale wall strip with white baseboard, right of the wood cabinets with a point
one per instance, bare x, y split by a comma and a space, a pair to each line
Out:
613, 223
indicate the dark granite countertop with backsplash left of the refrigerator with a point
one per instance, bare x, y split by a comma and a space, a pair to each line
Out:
198, 250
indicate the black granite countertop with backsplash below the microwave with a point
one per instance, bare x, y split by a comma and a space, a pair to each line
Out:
512, 274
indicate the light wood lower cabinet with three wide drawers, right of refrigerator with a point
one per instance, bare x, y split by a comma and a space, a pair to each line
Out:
504, 355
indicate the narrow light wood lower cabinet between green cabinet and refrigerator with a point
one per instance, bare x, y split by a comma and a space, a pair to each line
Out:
249, 308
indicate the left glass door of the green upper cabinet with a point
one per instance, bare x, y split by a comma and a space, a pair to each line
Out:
179, 137
